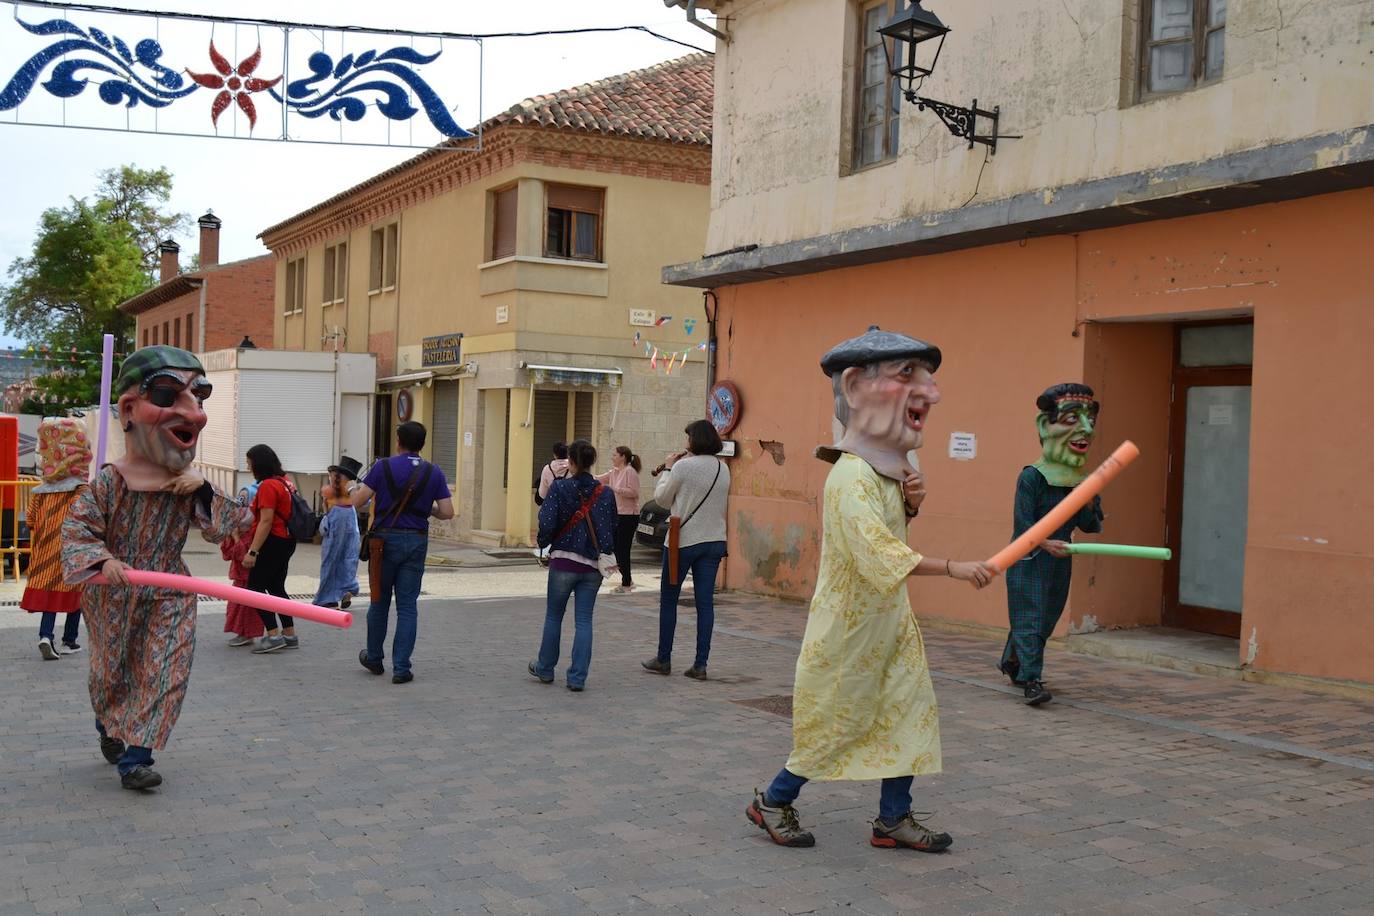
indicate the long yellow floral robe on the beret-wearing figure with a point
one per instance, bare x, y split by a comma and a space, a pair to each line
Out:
864, 705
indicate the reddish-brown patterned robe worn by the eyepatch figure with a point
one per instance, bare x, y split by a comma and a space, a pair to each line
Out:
142, 639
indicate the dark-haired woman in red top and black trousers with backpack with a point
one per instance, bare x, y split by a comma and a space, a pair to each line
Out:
271, 546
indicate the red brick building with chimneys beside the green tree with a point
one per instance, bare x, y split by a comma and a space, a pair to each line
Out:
212, 308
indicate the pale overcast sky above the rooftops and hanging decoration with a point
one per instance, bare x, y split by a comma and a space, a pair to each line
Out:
251, 185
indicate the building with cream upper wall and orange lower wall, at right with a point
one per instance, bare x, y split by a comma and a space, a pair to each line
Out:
1182, 223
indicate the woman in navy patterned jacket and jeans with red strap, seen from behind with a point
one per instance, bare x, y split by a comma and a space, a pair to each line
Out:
578, 524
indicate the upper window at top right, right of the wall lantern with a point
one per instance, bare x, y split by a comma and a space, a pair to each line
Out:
1184, 45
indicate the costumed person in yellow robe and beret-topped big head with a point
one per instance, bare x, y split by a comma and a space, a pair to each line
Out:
864, 705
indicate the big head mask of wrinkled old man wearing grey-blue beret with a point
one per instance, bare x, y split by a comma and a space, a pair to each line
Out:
884, 389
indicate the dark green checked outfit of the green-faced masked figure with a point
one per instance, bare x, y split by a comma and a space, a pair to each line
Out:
1038, 586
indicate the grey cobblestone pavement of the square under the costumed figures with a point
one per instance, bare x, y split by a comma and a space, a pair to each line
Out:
299, 782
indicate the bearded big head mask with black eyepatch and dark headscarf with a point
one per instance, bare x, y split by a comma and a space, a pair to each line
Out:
161, 395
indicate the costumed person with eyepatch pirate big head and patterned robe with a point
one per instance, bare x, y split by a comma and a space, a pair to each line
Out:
137, 513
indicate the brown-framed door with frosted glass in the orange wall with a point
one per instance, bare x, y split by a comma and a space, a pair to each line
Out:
1210, 474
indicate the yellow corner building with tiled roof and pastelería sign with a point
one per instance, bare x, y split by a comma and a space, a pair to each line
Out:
502, 289
